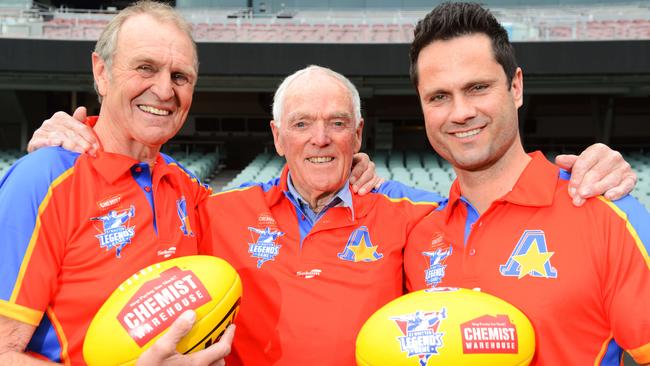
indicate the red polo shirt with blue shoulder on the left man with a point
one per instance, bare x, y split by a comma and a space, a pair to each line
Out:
75, 227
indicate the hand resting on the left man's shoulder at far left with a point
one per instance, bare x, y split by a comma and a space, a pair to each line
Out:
66, 131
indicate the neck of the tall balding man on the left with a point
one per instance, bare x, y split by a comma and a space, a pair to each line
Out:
115, 141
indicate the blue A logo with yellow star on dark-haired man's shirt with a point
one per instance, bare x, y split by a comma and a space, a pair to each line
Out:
530, 257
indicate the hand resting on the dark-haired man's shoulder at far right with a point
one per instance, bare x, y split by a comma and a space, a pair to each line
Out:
598, 170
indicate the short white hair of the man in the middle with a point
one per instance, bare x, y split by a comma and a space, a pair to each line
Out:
279, 97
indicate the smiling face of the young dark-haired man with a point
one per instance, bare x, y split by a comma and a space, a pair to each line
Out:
469, 108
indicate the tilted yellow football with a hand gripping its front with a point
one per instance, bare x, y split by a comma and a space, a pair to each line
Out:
139, 311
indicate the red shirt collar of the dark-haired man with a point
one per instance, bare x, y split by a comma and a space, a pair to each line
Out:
534, 188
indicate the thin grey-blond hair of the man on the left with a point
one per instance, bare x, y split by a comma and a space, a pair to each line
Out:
107, 43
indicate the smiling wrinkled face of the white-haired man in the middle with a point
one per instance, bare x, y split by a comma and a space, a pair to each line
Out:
318, 134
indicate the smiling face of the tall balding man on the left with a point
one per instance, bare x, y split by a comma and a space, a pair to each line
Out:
147, 92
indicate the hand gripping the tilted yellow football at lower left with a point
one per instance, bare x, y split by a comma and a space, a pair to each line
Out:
163, 351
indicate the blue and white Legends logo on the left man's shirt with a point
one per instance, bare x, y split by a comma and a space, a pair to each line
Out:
115, 231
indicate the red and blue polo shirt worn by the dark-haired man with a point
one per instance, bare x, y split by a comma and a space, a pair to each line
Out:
581, 275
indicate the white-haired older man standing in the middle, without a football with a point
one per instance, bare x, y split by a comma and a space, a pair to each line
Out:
315, 258
